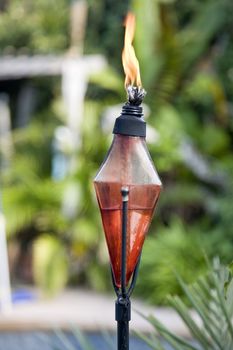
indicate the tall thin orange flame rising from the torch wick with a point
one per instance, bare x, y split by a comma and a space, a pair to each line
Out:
129, 59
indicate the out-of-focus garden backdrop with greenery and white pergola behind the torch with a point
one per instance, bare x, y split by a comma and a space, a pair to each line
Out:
61, 88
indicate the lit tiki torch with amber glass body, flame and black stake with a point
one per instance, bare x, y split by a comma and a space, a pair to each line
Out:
127, 188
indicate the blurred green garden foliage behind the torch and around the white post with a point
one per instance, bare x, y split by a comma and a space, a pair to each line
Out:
185, 50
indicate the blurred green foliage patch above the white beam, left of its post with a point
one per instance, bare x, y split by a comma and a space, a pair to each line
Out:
34, 27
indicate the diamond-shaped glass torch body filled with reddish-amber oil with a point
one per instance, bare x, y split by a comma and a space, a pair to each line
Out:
128, 163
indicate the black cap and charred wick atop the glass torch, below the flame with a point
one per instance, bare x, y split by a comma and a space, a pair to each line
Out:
131, 122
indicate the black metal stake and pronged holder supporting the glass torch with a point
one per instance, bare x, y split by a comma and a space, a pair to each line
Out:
123, 305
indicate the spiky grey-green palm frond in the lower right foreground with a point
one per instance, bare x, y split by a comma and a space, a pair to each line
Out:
211, 297
